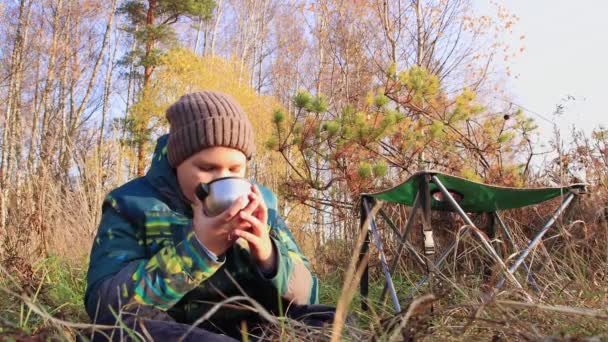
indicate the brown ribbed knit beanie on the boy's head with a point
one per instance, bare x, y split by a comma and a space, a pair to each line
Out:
207, 119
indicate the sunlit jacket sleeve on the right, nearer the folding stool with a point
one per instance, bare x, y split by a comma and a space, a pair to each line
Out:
293, 278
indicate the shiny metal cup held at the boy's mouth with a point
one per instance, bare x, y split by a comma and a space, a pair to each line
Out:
219, 194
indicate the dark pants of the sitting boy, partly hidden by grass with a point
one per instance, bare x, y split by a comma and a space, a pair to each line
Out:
164, 330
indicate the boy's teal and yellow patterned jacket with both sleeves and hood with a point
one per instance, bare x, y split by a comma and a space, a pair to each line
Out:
146, 253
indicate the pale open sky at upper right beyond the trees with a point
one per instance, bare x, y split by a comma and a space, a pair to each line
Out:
566, 53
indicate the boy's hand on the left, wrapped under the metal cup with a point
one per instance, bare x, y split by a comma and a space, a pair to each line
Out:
215, 232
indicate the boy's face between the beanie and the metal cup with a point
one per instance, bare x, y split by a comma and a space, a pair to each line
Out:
209, 164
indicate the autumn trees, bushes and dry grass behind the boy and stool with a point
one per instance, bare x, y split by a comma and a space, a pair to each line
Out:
346, 97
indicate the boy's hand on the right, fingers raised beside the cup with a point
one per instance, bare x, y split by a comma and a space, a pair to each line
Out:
258, 235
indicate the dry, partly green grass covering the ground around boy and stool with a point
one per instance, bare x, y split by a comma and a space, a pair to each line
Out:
43, 298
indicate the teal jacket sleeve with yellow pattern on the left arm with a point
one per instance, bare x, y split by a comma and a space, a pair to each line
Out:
120, 273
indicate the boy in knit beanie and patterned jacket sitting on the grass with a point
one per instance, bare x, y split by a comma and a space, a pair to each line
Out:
158, 258
